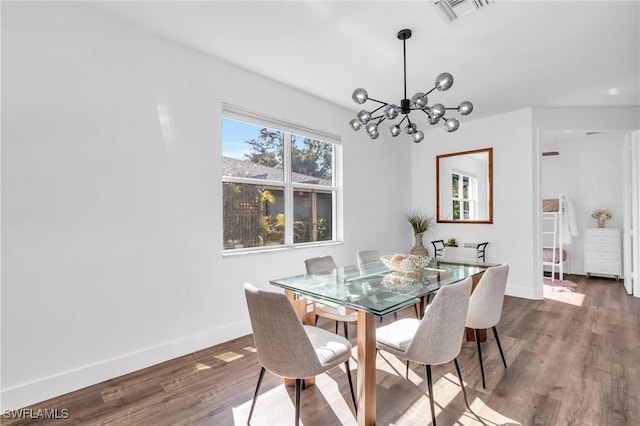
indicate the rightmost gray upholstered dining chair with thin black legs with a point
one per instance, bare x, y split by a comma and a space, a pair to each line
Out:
485, 307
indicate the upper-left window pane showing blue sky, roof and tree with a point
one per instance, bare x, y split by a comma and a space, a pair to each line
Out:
252, 151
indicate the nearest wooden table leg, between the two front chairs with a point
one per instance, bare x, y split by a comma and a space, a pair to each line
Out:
366, 388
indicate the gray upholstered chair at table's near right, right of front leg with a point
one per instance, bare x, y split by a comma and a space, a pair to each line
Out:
434, 340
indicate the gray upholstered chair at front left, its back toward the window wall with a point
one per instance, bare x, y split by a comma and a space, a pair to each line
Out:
289, 349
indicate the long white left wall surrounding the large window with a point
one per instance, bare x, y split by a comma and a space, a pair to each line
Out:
111, 214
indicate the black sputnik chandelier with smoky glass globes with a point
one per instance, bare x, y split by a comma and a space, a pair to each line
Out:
418, 102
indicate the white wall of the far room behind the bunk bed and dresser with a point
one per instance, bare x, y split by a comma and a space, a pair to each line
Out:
588, 171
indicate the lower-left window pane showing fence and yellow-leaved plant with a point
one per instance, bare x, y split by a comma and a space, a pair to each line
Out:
253, 215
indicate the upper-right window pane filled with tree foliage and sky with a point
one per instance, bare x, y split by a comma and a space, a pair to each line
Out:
311, 161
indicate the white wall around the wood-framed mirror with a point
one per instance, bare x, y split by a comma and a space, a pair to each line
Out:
510, 237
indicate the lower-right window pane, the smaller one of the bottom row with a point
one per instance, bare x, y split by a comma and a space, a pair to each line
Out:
312, 216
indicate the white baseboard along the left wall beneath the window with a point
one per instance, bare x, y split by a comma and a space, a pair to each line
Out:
68, 381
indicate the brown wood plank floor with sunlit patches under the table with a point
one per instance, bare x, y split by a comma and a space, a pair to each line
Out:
574, 359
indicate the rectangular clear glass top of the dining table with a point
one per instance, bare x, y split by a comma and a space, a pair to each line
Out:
376, 289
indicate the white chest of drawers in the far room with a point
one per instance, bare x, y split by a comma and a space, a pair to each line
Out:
602, 252
